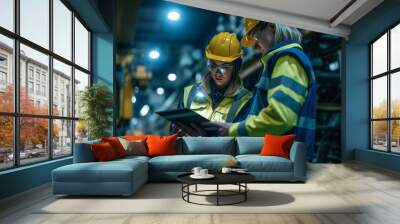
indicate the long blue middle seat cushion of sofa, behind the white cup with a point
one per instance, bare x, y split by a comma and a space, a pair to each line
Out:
185, 163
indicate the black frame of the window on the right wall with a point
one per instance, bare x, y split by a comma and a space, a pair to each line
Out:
388, 74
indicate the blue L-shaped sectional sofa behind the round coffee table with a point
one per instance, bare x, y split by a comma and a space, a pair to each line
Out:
125, 176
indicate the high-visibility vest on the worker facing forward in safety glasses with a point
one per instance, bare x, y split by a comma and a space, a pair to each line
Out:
196, 98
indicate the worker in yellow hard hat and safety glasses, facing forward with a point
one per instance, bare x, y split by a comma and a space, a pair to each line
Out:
220, 96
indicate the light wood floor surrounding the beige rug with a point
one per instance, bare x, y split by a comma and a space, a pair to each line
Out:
378, 189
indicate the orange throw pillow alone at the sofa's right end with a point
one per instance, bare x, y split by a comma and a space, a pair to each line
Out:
277, 145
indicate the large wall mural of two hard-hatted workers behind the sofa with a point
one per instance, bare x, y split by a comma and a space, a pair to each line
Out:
248, 77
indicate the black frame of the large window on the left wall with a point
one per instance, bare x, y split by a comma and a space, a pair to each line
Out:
16, 114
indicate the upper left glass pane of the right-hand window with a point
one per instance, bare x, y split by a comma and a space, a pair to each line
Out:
379, 56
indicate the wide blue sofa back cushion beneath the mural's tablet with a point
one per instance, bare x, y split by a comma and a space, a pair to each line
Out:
206, 145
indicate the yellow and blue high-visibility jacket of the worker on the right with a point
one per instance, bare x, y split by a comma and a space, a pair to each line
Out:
284, 99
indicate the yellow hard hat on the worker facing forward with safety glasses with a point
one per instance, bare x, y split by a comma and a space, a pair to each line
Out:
224, 47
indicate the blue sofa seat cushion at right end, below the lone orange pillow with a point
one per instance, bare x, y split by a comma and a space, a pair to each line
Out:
257, 163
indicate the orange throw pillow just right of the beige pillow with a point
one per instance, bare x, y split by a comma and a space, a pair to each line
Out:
161, 145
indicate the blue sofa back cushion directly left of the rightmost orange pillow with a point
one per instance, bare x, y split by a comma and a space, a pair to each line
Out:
249, 145
